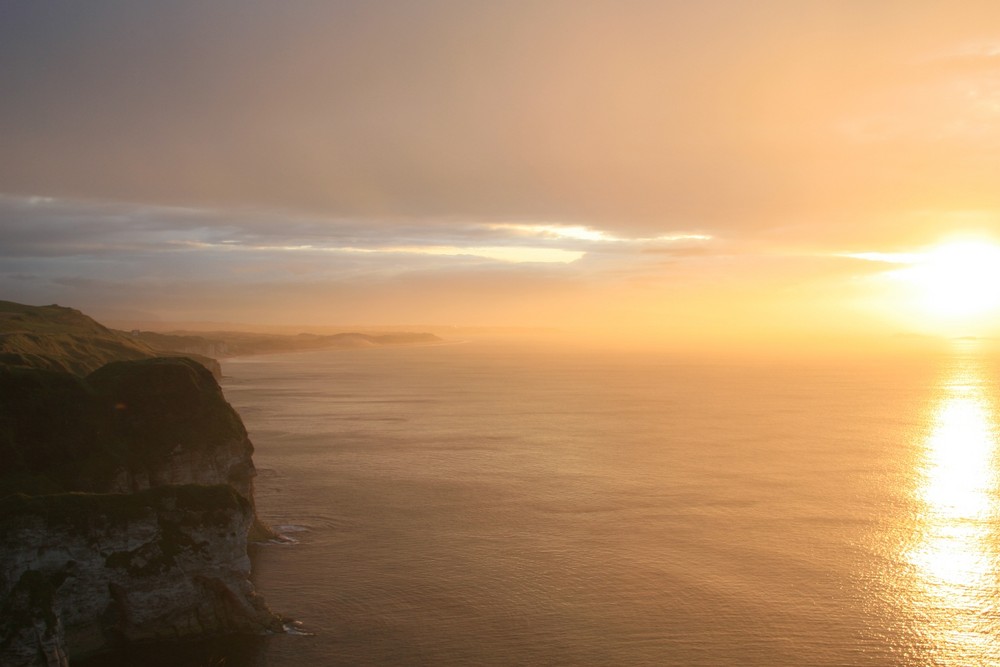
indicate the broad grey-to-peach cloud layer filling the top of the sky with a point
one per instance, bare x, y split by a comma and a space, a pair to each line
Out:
632, 115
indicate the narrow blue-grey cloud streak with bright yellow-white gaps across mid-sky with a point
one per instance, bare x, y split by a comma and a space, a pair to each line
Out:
56, 227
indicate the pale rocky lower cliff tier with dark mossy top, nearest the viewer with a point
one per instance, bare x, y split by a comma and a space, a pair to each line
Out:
81, 573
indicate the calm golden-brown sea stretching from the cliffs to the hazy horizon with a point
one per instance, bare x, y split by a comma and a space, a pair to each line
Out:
500, 504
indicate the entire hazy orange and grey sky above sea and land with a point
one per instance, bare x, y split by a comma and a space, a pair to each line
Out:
664, 171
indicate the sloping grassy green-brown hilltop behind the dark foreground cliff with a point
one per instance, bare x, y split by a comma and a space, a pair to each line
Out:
63, 339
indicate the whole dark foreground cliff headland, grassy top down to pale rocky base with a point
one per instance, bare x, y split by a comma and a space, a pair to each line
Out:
137, 524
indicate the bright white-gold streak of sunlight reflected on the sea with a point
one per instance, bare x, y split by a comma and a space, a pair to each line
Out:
954, 558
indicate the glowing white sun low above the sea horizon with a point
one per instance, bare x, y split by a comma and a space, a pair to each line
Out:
959, 280
